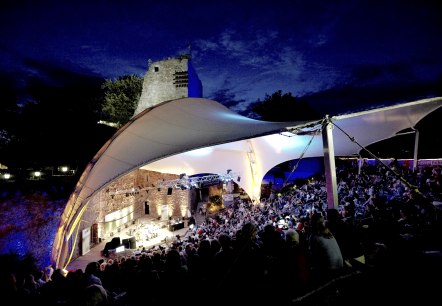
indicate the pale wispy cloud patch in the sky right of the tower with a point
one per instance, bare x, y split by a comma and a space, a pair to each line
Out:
261, 62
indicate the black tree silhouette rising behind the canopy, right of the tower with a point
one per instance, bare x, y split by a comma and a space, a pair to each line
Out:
281, 107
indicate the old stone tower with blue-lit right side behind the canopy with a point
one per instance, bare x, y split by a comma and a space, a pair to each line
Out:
169, 79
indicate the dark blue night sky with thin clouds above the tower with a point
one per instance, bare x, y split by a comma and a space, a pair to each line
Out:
332, 52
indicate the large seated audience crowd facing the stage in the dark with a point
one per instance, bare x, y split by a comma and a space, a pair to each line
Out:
277, 251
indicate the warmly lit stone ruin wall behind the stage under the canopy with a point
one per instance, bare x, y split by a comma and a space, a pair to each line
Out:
129, 196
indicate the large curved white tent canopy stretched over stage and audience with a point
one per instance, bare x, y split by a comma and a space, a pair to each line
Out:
196, 135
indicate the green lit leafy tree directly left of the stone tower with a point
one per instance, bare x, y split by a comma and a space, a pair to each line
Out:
121, 98
